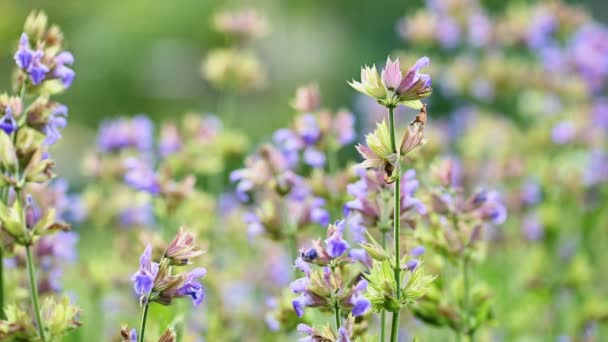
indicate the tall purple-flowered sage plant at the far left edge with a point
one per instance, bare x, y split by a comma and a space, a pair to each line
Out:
30, 124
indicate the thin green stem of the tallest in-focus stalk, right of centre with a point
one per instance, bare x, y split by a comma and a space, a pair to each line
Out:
396, 222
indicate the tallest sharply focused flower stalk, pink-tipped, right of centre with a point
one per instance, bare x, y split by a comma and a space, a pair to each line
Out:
391, 88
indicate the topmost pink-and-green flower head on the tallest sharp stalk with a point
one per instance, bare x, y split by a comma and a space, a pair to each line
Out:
392, 88
